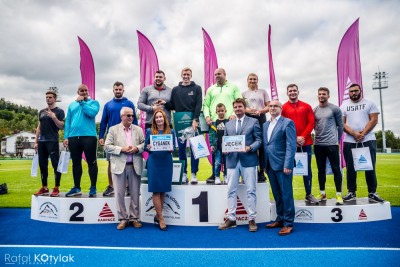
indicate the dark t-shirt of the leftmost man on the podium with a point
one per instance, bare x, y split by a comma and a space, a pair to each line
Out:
48, 128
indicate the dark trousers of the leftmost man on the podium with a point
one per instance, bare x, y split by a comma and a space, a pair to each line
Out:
46, 149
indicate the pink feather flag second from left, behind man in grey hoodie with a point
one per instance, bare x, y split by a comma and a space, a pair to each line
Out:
148, 67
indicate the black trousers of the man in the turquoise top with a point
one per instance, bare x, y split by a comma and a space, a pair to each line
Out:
88, 145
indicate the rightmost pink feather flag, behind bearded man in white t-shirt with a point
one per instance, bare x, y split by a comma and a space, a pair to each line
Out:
348, 67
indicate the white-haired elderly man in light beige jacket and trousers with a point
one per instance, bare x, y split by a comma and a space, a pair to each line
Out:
125, 143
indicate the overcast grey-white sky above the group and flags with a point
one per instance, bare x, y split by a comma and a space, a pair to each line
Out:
39, 45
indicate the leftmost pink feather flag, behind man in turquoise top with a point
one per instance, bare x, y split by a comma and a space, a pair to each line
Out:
87, 68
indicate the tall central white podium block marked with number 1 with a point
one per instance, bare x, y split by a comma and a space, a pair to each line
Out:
204, 205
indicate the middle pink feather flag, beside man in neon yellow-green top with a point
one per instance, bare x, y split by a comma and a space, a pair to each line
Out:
210, 65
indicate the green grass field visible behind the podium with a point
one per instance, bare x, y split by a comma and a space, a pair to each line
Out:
16, 173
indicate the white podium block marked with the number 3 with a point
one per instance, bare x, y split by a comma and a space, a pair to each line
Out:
357, 211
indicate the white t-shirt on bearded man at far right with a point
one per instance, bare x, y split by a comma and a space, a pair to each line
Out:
357, 116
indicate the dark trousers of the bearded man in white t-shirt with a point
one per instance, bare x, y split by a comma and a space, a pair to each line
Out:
370, 176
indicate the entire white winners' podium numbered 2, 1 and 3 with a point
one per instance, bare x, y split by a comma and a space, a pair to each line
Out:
202, 205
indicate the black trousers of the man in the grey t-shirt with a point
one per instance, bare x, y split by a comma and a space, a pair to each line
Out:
332, 153
